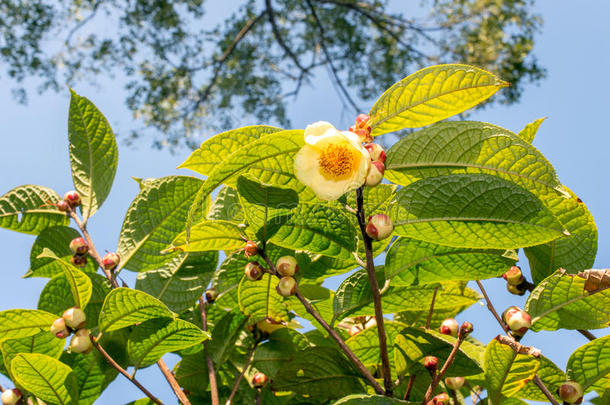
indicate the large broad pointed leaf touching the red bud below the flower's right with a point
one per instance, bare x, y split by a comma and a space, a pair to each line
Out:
476, 211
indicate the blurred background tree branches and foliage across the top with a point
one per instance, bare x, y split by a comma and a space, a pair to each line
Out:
186, 76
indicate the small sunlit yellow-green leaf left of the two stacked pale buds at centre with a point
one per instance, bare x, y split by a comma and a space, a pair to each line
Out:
259, 300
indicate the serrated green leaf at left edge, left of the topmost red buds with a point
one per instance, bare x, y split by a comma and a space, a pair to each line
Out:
30, 209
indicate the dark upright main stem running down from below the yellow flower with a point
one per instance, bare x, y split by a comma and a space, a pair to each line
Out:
370, 268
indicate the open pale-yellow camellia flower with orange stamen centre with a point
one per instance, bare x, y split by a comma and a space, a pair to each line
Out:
331, 162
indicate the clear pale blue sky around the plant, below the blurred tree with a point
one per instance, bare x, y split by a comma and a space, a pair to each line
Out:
575, 138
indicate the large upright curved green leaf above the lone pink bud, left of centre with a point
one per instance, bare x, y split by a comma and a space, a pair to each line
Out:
155, 217
